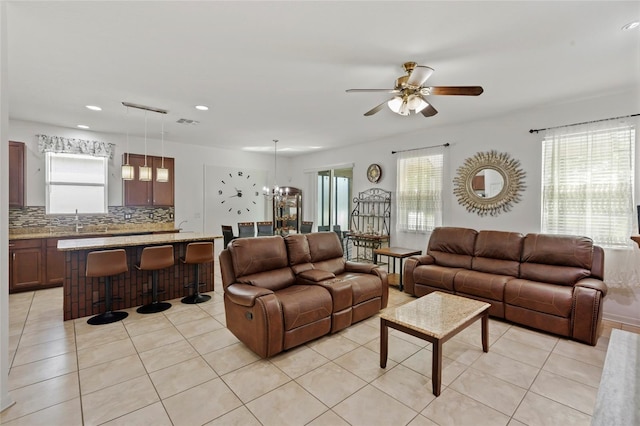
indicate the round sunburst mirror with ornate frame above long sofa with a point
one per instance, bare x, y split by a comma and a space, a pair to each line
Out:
488, 183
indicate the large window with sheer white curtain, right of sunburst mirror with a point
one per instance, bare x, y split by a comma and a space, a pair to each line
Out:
587, 183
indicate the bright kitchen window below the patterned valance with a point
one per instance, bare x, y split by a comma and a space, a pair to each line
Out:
76, 182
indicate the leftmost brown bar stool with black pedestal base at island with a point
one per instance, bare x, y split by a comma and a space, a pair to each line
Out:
106, 263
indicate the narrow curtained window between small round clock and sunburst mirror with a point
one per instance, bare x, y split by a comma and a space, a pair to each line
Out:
419, 191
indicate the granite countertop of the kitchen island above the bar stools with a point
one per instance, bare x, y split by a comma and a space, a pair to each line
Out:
133, 240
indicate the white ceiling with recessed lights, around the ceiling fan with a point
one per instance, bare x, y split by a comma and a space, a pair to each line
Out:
279, 70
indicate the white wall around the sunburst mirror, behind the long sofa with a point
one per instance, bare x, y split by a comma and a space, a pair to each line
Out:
505, 134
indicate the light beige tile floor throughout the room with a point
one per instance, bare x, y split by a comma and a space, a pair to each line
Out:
183, 367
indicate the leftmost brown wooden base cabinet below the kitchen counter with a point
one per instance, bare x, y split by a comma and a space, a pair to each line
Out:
26, 263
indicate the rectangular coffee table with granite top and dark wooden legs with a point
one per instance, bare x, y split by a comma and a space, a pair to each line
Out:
436, 318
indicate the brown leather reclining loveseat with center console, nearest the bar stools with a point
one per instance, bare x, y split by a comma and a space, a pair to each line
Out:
282, 292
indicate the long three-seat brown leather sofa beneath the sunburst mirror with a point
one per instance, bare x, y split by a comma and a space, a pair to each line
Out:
548, 282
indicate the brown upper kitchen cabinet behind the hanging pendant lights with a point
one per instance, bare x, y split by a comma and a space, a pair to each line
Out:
151, 193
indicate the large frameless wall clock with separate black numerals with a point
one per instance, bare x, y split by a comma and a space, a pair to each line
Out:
238, 192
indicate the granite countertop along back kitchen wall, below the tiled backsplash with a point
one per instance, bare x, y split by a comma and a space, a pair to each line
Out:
89, 231
